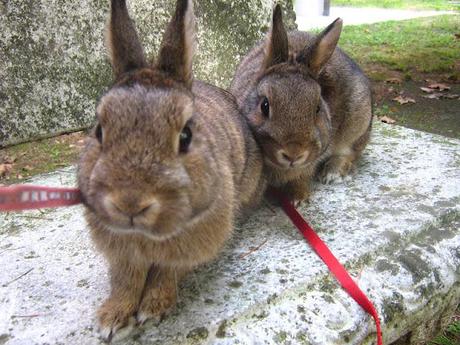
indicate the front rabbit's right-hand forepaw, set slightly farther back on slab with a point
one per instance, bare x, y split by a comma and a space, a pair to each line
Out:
156, 303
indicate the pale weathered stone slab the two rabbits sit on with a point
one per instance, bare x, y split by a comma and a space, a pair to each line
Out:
395, 226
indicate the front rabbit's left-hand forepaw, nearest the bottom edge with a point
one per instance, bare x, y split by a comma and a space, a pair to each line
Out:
116, 319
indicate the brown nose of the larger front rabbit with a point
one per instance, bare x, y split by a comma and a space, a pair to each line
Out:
131, 207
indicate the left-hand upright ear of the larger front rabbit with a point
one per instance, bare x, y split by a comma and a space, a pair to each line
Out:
126, 52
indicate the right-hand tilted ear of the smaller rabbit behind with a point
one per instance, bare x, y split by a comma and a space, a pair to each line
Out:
316, 55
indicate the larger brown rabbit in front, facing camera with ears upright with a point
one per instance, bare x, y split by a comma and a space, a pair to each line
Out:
169, 166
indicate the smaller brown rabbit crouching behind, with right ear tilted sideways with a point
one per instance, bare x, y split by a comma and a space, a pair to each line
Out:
308, 104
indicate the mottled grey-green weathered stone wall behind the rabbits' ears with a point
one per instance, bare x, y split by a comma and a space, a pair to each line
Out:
53, 63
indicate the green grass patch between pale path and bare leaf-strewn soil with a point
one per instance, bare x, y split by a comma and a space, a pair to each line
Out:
423, 45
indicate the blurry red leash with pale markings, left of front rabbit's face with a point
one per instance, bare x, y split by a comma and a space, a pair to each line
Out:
26, 197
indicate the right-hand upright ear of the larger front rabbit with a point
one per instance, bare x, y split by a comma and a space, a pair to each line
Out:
177, 49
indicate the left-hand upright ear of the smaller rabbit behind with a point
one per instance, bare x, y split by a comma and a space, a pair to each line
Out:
277, 49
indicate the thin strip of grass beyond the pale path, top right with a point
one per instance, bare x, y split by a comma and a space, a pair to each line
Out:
400, 4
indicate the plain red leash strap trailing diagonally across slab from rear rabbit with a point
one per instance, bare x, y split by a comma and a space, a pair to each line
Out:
330, 260
